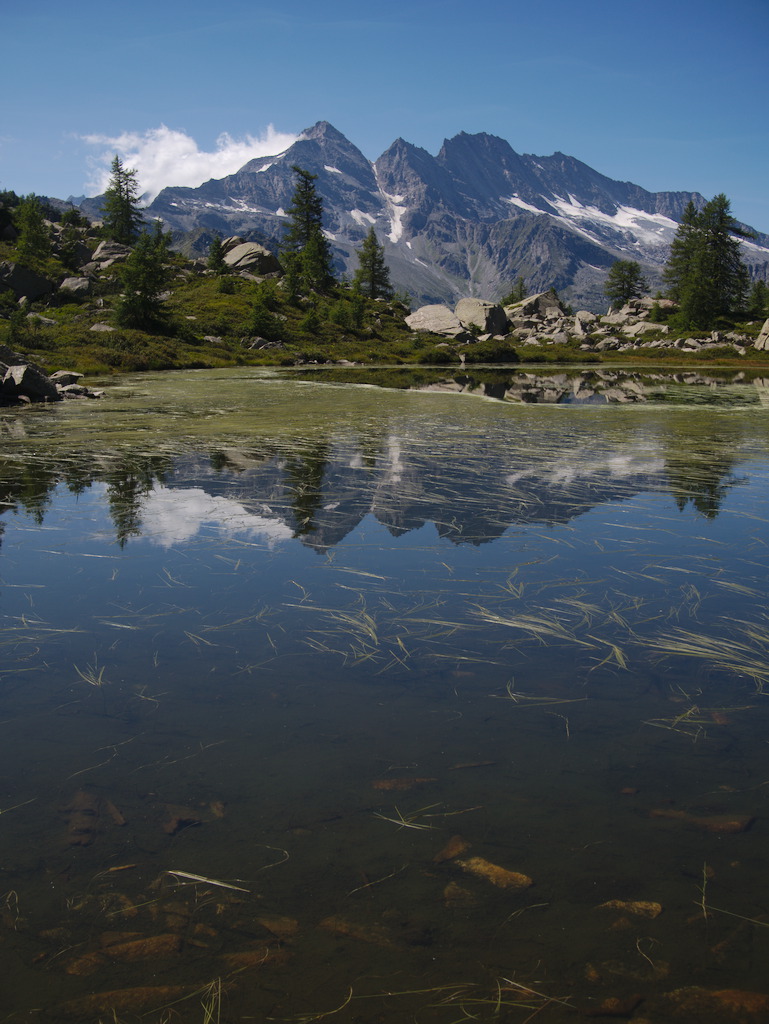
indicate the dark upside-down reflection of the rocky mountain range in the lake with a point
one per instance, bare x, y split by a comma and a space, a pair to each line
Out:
324, 493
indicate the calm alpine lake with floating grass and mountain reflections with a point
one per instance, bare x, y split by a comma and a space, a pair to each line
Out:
369, 698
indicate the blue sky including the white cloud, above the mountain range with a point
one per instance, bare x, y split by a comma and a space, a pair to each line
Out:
671, 95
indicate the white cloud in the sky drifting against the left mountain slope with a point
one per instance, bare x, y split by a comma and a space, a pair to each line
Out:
167, 157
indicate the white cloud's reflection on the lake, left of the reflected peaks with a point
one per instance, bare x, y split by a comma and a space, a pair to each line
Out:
173, 517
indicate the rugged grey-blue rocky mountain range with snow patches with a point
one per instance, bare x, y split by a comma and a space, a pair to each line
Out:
467, 223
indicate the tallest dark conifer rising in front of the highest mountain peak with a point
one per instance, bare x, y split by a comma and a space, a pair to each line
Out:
307, 254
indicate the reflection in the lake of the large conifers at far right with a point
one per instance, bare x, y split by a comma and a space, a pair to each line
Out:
700, 471
